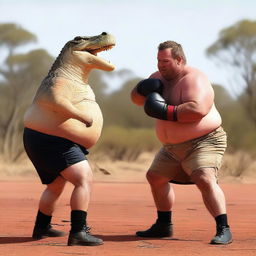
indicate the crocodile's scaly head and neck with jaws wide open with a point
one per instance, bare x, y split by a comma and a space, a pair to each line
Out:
79, 56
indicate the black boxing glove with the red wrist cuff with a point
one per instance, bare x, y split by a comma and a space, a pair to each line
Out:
155, 106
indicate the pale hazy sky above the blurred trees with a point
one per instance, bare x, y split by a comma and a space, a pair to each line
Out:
138, 26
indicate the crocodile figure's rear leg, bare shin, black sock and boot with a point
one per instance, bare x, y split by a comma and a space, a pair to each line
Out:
46, 207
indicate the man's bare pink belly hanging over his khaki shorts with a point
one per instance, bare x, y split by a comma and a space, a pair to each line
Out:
175, 132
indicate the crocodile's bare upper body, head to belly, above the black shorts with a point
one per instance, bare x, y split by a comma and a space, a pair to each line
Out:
64, 104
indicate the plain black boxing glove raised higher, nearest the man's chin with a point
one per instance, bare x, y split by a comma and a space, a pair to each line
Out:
147, 86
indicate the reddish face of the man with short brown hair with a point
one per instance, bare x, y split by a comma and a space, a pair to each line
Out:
167, 65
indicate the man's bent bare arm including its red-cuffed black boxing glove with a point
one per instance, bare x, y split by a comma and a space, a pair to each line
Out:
196, 101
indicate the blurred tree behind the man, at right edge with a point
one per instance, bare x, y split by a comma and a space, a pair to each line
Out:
236, 47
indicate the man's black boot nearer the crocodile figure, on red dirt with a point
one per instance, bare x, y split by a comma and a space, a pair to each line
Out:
159, 229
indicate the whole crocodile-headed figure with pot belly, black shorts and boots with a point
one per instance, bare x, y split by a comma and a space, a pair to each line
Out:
63, 121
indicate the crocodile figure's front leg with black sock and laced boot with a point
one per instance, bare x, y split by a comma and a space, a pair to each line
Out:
80, 175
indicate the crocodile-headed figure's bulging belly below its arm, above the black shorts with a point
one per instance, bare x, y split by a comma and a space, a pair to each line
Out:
49, 122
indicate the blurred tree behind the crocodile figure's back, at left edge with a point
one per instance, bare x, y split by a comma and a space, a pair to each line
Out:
21, 75
